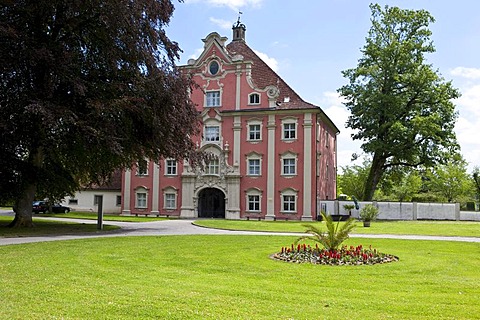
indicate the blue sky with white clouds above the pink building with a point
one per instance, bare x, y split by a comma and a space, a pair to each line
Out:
310, 42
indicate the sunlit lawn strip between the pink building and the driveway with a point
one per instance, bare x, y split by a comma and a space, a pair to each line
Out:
437, 228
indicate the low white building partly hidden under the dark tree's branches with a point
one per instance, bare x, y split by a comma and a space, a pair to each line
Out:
86, 201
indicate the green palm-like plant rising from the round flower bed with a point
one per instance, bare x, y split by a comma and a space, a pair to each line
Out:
333, 237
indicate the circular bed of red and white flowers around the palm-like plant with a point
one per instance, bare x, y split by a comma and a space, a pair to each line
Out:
303, 253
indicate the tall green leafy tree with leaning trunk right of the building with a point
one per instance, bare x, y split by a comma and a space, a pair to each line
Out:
400, 107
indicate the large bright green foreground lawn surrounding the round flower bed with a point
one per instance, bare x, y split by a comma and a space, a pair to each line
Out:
231, 277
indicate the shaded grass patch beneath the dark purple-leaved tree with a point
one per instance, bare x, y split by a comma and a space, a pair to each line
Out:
48, 227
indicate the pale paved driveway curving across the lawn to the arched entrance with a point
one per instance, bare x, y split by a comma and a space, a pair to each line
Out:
185, 227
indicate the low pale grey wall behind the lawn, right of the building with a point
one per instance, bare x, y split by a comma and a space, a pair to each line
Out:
403, 210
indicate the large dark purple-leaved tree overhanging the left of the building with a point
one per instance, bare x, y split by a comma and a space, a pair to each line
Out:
86, 87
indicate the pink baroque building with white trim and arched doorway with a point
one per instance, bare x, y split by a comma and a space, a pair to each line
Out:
275, 154
